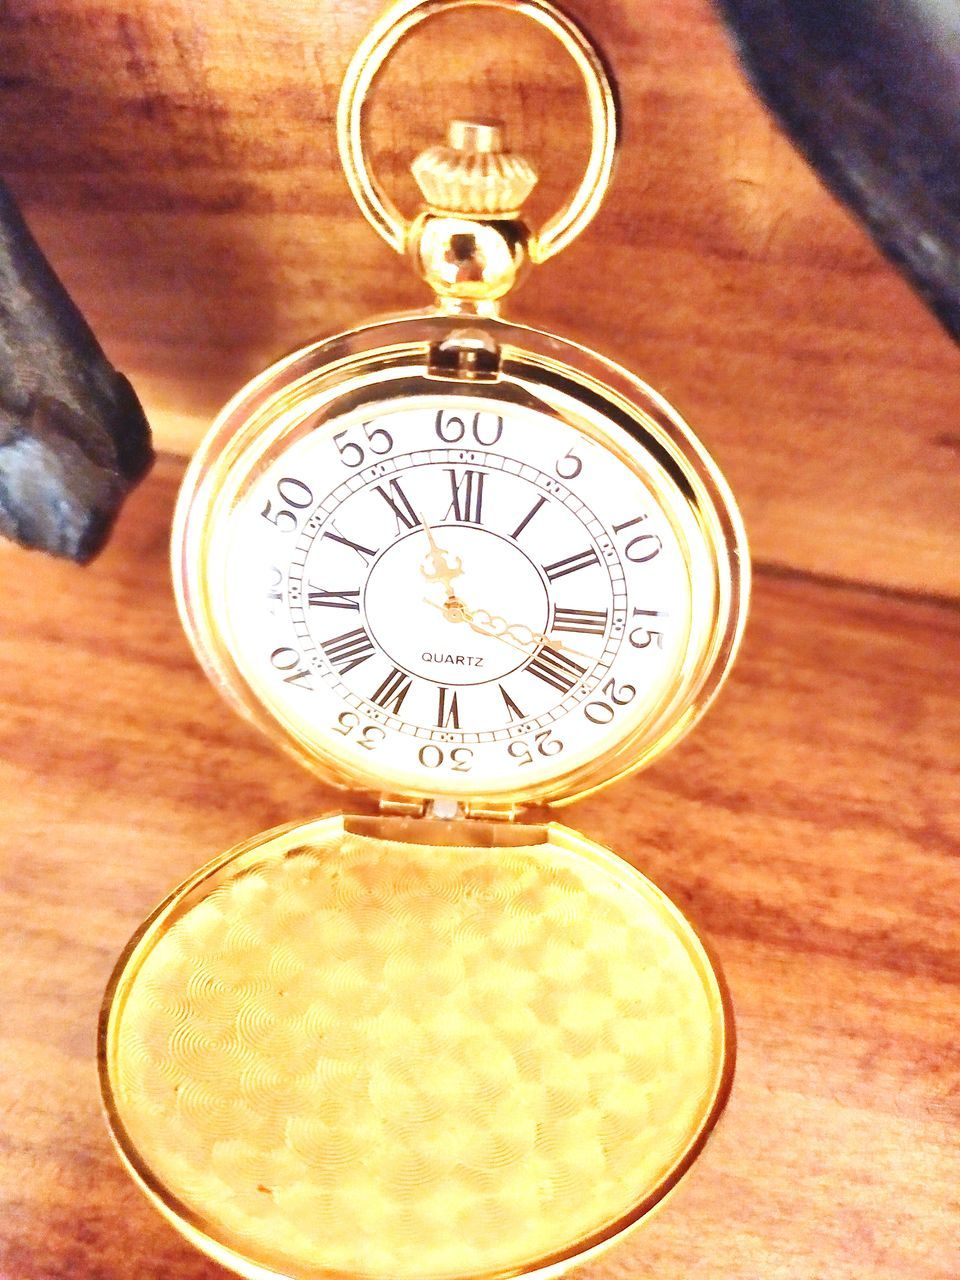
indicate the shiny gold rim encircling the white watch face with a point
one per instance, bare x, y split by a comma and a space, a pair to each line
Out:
396, 350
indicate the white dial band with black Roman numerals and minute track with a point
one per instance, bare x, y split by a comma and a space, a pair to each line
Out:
360, 527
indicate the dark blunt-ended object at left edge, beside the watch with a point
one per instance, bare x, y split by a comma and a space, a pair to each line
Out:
74, 437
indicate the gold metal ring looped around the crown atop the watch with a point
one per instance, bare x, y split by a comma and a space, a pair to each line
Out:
381, 43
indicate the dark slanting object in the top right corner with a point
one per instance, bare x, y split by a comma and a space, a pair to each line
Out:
870, 93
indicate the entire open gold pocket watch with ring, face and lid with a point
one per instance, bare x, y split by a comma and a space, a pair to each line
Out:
468, 572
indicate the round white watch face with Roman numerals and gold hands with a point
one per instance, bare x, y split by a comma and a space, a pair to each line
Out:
473, 596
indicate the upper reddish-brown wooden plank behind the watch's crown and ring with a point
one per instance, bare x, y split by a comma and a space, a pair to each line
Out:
179, 163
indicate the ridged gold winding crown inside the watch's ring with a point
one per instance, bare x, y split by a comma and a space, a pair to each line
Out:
472, 173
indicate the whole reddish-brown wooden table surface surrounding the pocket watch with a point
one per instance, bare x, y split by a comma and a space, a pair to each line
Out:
177, 162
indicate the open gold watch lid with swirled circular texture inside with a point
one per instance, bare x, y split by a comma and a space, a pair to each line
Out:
335, 1054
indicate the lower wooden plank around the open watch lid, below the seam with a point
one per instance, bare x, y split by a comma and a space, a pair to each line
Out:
812, 826
